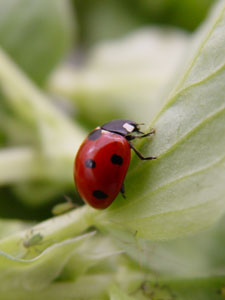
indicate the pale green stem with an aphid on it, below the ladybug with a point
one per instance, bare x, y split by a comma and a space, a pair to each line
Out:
54, 230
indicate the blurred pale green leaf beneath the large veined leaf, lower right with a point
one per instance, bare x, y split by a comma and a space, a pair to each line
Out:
193, 256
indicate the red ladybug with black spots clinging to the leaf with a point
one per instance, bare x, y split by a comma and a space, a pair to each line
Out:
103, 159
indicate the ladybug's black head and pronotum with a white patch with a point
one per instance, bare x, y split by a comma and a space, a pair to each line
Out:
122, 127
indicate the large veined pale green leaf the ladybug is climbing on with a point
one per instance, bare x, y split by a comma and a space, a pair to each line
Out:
182, 192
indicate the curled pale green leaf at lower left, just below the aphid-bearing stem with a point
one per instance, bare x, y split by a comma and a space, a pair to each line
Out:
40, 271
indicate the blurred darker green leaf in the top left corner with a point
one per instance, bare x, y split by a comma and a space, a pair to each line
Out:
36, 34
